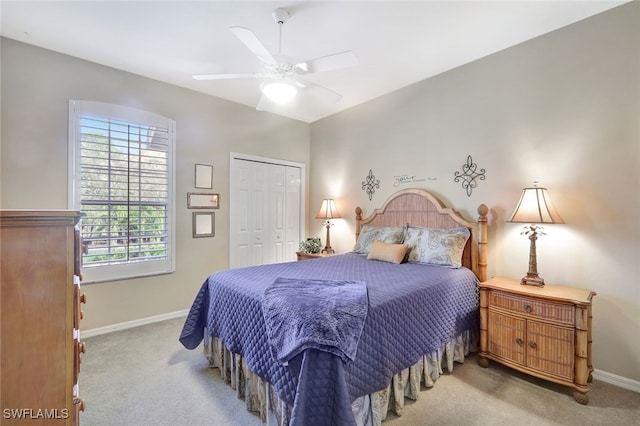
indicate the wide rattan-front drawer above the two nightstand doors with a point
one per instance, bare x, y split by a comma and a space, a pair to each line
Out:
545, 309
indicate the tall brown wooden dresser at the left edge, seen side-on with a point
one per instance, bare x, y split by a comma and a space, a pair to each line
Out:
40, 313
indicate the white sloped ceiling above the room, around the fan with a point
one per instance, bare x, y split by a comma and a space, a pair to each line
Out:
397, 43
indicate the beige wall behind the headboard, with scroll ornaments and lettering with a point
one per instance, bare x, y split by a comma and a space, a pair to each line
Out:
563, 109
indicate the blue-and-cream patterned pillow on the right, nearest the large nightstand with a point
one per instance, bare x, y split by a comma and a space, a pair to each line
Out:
437, 246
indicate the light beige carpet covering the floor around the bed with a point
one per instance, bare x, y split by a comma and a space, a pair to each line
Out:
143, 376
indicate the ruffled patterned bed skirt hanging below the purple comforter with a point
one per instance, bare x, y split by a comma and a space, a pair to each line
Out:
369, 410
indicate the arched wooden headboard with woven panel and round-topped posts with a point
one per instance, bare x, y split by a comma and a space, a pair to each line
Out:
419, 207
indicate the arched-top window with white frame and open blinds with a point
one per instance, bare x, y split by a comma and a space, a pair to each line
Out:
121, 179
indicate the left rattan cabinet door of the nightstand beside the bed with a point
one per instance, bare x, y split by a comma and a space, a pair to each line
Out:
506, 337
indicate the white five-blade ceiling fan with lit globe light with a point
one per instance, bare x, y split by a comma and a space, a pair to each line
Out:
281, 80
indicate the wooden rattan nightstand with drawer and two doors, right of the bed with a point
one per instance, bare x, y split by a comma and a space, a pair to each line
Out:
541, 331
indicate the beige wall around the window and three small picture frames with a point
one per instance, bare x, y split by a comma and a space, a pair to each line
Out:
36, 87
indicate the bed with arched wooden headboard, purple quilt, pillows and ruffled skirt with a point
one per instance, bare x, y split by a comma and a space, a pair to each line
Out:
394, 324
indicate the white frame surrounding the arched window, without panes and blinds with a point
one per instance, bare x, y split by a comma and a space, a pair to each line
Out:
129, 270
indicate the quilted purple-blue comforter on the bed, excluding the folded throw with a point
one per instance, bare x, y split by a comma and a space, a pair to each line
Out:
413, 309
